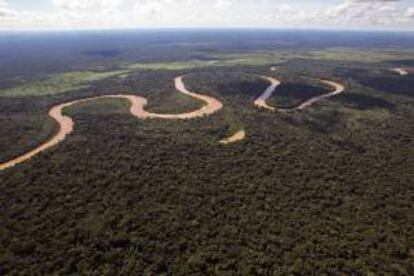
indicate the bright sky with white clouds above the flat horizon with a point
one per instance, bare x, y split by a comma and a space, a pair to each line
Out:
114, 14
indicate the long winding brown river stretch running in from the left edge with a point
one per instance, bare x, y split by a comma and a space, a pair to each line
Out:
66, 124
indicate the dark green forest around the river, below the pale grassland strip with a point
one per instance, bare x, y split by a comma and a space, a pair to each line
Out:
324, 191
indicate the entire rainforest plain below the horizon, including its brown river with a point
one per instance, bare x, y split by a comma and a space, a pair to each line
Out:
206, 152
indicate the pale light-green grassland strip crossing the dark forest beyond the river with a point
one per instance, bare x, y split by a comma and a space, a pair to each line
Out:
77, 80
